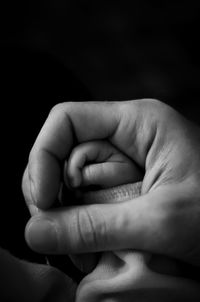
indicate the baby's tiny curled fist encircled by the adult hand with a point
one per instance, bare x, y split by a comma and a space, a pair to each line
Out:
99, 163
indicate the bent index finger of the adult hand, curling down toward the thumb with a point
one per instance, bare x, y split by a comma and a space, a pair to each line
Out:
66, 124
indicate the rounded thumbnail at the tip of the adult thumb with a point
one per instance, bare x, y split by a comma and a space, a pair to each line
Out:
41, 236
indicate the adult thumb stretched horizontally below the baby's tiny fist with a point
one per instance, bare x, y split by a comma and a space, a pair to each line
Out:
93, 227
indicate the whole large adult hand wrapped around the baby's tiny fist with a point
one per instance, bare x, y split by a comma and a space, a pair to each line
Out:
165, 219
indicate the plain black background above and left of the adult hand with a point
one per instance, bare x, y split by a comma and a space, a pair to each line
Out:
56, 50
